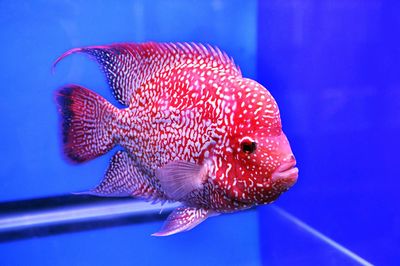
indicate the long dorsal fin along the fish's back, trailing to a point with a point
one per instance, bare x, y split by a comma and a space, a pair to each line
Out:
128, 65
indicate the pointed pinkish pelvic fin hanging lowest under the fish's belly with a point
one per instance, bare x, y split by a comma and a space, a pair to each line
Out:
183, 219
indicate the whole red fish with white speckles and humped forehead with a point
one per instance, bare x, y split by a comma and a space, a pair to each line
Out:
191, 129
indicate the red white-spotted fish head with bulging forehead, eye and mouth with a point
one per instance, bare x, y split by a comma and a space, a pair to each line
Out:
262, 162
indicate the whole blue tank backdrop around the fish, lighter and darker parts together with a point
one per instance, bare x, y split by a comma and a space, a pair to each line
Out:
333, 67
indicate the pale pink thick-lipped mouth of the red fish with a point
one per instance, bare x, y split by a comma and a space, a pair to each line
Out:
285, 176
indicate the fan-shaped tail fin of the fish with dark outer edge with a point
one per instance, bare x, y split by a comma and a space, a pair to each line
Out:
87, 123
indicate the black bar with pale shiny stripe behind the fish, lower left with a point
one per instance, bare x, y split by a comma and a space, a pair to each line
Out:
65, 214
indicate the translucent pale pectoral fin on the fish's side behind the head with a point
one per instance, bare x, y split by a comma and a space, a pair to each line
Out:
178, 178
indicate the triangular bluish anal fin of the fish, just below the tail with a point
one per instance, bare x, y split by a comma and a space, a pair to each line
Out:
124, 178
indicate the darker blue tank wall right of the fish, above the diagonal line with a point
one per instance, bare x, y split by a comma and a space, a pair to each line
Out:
334, 69
